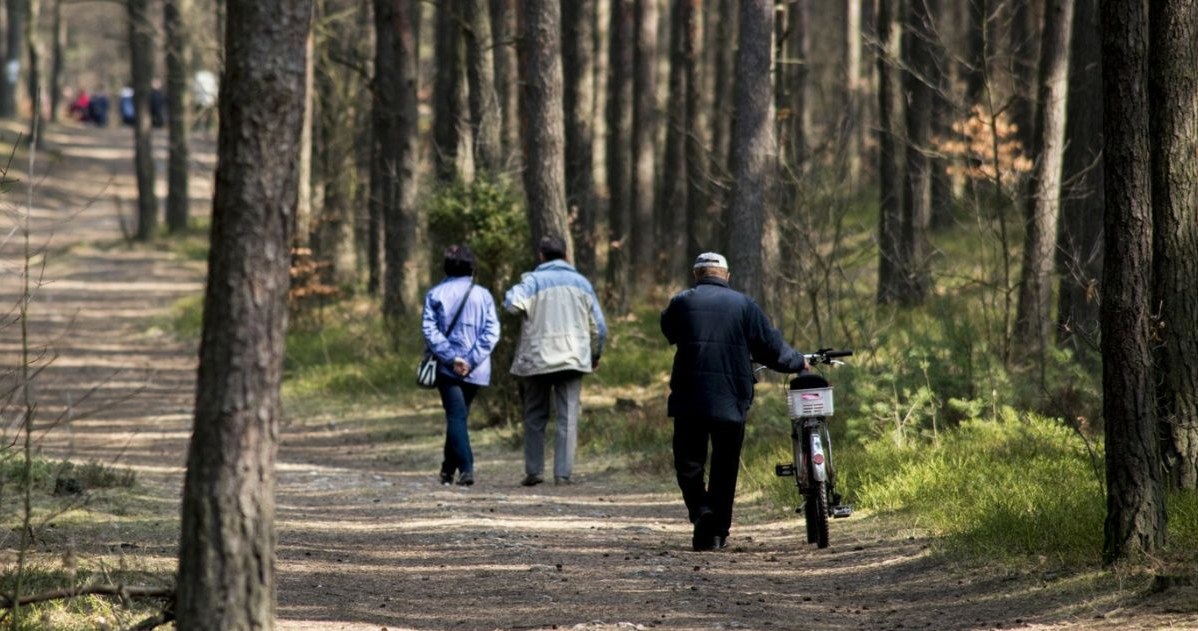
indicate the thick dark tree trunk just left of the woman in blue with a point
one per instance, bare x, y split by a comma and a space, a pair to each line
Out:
397, 116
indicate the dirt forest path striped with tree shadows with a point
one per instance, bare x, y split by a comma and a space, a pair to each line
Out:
370, 541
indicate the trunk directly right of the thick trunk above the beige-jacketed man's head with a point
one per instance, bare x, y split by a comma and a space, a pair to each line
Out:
578, 96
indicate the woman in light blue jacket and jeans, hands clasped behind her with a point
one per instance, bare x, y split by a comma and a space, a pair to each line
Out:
464, 354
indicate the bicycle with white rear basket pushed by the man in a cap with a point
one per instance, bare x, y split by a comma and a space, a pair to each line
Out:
810, 406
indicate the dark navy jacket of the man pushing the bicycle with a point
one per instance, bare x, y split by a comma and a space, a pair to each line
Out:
719, 332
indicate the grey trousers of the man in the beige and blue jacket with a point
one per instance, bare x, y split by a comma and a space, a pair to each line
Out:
565, 390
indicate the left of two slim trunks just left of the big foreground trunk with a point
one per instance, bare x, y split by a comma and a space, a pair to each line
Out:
142, 62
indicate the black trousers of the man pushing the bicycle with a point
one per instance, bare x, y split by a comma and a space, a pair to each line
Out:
691, 440
